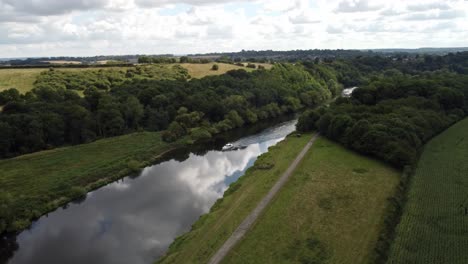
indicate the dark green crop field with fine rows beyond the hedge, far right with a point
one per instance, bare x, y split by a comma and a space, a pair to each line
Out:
434, 225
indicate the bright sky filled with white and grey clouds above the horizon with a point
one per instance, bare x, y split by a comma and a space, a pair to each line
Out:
33, 28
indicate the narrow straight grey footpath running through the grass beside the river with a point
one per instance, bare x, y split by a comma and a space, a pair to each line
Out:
252, 217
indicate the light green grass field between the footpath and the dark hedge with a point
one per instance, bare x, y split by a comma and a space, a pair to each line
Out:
330, 211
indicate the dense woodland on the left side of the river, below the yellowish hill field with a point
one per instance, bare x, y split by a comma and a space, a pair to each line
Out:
115, 102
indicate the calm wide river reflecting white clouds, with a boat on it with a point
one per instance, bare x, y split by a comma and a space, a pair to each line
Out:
135, 219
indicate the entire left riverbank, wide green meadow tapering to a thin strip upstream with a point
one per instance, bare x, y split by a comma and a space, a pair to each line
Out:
35, 184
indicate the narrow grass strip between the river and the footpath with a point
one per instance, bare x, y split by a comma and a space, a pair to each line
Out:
212, 229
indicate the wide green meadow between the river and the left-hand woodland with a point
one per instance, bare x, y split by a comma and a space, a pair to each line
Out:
42, 181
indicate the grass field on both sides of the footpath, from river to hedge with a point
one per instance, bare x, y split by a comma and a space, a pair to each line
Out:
332, 209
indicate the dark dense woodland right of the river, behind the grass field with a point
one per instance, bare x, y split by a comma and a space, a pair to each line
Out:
394, 114
